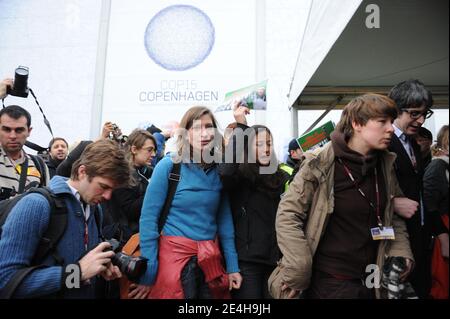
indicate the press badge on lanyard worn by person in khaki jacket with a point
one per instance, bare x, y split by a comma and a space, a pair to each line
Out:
380, 232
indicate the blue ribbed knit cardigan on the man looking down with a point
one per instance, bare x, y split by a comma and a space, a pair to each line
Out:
24, 227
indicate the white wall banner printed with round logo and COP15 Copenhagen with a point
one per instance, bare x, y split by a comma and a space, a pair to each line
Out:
164, 57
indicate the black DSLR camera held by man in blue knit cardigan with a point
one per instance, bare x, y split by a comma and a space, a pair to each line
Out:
132, 267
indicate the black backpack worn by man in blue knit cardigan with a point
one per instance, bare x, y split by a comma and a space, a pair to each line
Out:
47, 245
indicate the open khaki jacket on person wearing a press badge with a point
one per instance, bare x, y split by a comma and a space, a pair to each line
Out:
303, 214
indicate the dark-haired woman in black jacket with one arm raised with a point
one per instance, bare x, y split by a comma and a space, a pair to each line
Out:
255, 183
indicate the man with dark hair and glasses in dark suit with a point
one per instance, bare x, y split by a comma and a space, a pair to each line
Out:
413, 103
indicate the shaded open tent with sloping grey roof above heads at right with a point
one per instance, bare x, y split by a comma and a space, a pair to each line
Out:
367, 59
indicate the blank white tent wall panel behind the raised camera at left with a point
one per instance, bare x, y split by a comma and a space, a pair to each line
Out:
57, 40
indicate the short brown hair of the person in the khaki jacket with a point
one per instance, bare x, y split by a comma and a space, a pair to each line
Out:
363, 108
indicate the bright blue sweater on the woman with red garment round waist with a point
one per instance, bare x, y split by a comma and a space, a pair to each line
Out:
199, 211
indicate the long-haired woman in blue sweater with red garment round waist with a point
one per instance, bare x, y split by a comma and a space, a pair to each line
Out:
185, 260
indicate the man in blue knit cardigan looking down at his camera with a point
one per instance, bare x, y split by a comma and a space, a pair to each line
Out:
102, 167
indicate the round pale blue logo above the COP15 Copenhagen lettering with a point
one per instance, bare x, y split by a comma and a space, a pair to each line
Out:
179, 37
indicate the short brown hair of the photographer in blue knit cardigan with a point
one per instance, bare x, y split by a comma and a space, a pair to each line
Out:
104, 158
